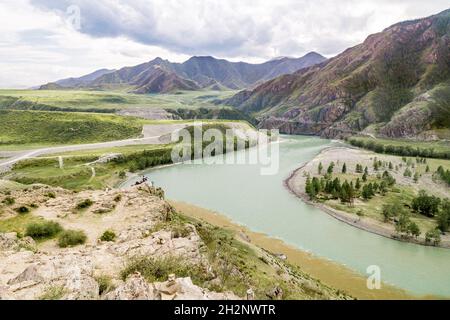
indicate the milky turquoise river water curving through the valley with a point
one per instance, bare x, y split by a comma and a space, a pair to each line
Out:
263, 204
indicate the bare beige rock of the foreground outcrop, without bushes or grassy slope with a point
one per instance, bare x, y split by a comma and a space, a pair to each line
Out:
72, 274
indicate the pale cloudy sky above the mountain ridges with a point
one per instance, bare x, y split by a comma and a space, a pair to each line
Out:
46, 40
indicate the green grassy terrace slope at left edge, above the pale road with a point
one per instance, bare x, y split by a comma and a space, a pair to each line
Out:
28, 127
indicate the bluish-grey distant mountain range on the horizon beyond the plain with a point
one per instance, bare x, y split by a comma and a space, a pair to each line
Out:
195, 73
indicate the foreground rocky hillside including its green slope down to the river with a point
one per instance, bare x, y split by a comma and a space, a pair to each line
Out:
149, 238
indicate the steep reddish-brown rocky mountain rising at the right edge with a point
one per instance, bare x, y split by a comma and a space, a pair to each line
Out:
388, 85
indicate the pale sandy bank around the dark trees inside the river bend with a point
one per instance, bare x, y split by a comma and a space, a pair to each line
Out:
295, 183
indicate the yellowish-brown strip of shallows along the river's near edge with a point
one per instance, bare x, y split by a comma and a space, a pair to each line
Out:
330, 273
